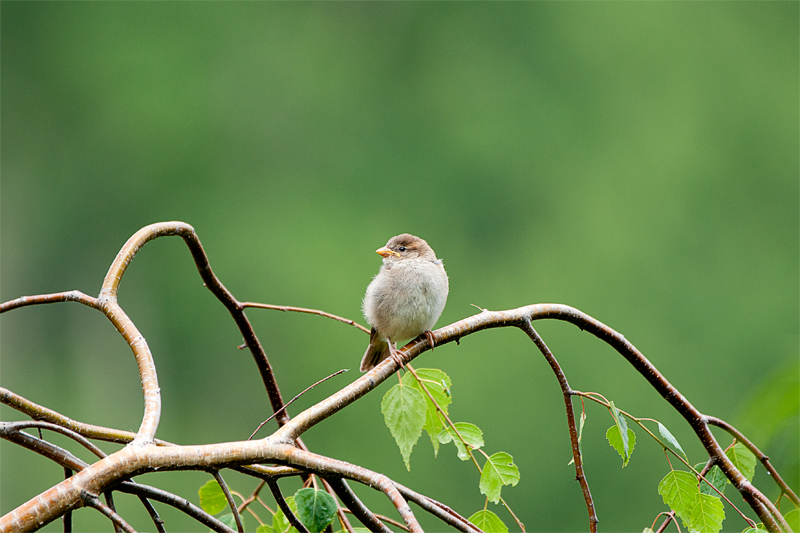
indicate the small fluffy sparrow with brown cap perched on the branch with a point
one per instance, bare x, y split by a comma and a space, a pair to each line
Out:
405, 299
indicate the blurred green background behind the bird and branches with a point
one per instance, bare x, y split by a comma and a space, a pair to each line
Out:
638, 161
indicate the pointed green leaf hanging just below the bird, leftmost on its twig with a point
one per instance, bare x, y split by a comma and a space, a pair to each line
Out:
403, 409
